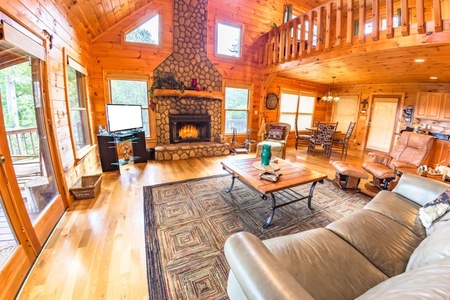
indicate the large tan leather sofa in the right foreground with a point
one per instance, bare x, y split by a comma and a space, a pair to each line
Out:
380, 252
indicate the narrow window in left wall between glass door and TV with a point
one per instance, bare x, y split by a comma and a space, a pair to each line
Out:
76, 91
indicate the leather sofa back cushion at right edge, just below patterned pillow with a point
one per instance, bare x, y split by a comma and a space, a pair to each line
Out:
431, 249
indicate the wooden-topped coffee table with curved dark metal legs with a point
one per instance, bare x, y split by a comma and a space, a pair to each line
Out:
293, 175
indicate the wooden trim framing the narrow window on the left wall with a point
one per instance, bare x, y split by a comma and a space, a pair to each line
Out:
69, 61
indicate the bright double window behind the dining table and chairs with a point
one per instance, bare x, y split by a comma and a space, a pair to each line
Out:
298, 106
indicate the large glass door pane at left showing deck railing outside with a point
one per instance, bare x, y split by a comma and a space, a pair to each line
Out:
26, 136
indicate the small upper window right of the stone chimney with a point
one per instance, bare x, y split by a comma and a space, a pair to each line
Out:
229, 40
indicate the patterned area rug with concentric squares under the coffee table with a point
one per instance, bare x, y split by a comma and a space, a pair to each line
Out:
188, 222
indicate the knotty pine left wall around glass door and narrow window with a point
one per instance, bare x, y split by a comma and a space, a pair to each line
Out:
35, 16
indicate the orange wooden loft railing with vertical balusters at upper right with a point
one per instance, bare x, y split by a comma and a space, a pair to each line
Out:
338, 24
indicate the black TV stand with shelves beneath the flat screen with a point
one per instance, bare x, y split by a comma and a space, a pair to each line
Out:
112, 148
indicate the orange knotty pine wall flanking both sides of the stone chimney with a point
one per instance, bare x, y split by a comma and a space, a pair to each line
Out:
111, 55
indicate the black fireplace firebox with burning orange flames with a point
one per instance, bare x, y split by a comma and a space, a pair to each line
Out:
189, 128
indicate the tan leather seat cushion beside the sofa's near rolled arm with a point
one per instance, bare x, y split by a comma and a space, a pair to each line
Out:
317, 259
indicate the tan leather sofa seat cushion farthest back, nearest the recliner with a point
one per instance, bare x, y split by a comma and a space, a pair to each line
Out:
399, 209
